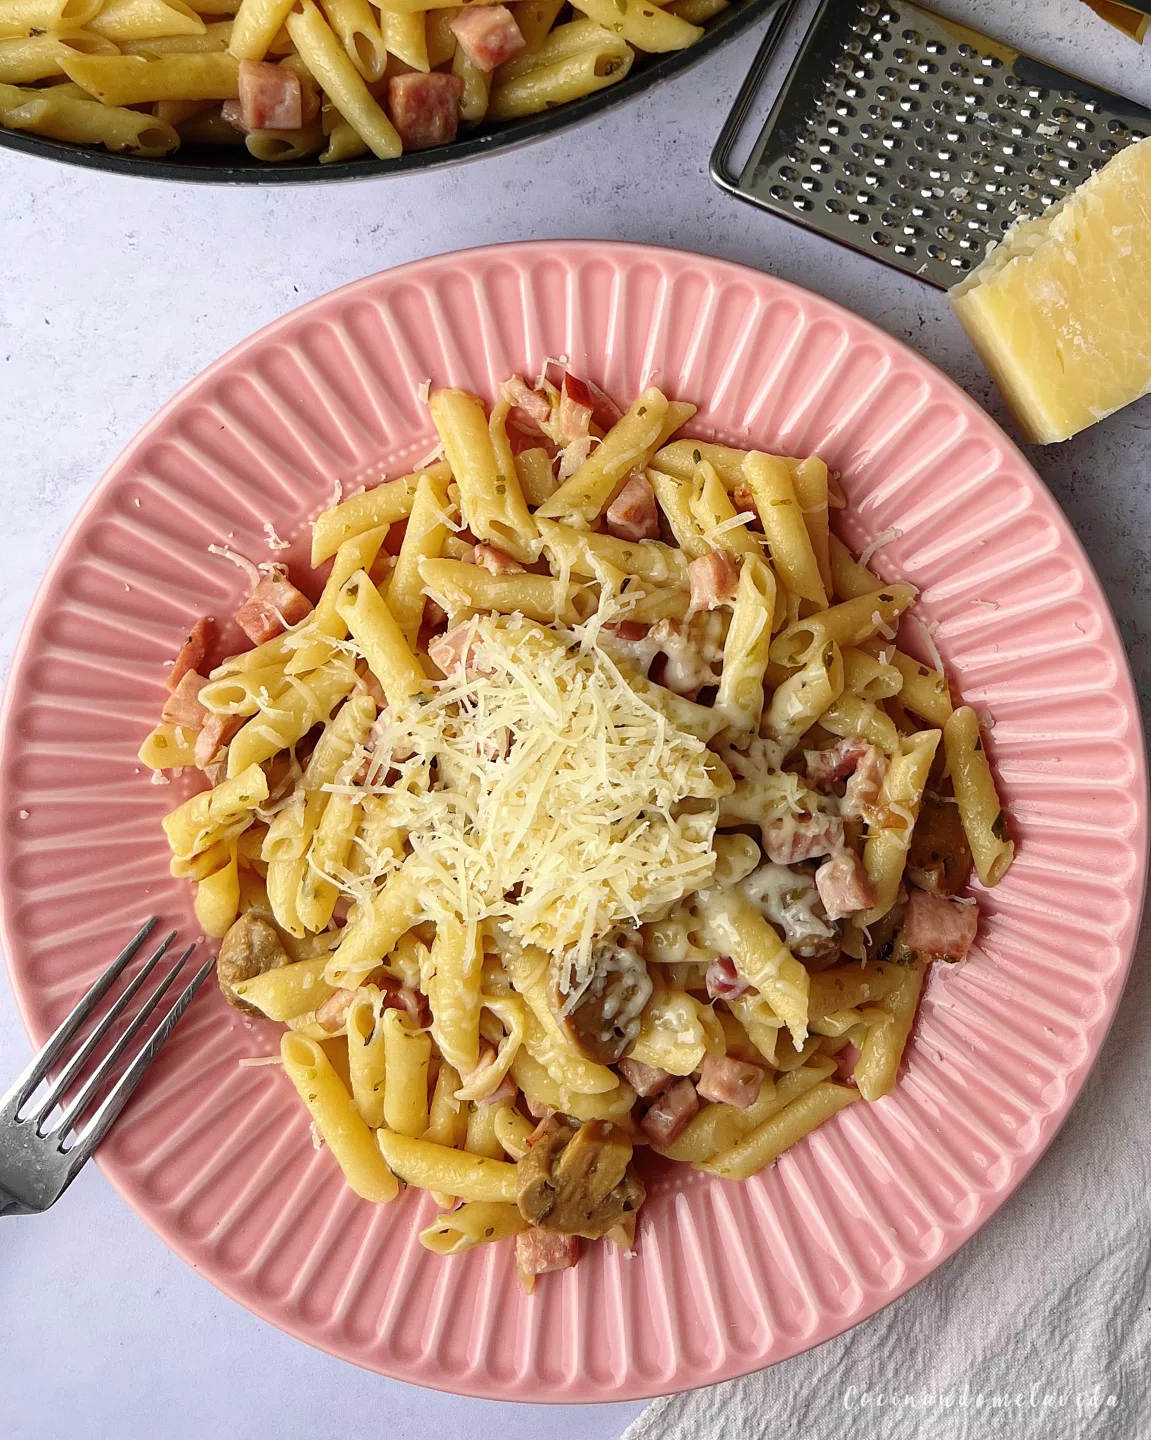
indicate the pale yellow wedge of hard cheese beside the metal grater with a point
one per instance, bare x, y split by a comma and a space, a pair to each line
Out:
1061, 312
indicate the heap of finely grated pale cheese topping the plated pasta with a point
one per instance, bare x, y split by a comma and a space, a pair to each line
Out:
547, 793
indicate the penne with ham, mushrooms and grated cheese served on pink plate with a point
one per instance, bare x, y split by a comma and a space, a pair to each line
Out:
577, 817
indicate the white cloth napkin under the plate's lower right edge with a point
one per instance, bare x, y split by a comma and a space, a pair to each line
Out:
1041, 1327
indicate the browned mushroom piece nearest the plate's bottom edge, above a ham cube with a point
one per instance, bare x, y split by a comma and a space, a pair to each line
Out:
578, 1182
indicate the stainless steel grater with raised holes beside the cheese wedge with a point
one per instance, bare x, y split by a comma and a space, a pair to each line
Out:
914, 139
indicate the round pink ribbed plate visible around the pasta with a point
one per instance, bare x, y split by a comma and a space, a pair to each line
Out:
727, 1278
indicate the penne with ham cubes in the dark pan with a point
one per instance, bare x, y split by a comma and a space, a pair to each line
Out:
293, 80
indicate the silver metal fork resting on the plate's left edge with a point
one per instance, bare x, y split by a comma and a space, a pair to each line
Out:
37, 1160
